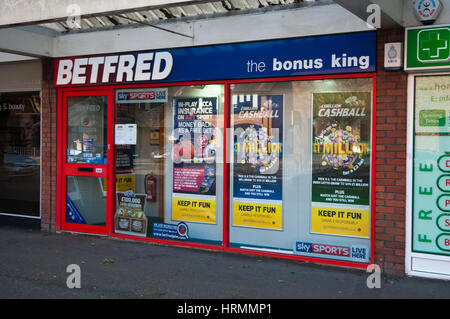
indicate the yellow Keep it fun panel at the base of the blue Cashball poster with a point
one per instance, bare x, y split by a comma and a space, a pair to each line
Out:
258, 215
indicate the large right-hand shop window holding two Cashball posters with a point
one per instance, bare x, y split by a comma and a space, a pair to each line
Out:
300, 171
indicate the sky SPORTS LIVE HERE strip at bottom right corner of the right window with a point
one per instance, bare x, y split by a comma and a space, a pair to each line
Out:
336, 251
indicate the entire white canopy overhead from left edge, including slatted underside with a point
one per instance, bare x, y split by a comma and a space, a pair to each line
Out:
204, 23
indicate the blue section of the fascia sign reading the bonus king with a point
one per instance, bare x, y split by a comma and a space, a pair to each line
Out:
343, 53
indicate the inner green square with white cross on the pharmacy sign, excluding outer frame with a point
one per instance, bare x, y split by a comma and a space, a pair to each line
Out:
433, 45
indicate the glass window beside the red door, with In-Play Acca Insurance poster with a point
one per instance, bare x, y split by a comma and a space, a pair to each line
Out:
168, 163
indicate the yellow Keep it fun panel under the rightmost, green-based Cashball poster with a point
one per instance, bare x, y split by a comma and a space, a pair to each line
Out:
340, 221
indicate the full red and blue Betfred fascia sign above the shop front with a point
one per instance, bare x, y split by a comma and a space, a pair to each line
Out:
330, 54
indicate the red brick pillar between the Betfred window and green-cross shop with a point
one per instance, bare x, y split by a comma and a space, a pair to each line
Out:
390, 189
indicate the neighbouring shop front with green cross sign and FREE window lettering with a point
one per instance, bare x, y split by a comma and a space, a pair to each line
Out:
428, 222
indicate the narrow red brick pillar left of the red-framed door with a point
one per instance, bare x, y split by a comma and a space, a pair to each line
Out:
48, 148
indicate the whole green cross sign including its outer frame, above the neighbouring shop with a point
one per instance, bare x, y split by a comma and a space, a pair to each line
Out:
428, 48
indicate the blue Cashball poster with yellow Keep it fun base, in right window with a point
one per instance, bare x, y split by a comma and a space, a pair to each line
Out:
257, 163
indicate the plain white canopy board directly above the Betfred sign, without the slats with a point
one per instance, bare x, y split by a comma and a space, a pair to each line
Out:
278, 24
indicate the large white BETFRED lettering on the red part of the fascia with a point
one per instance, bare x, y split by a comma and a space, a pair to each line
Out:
147, 66
